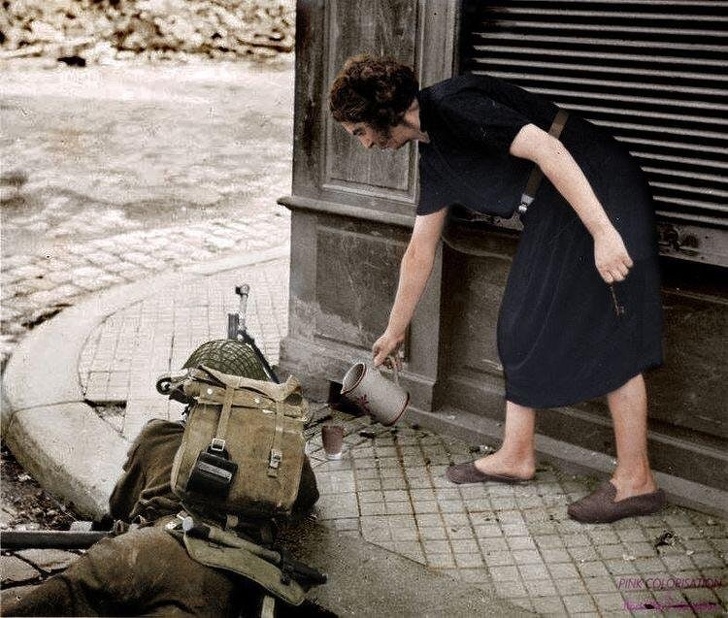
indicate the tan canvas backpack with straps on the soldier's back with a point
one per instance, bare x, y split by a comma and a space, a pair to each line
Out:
243, 447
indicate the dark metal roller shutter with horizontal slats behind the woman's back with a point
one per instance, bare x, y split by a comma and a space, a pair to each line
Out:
653, 72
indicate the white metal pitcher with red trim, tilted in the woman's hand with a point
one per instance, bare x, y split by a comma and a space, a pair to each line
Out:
375, 394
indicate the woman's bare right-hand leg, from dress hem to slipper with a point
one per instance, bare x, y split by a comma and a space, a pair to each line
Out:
628, 406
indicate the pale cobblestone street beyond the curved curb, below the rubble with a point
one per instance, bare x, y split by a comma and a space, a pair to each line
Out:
111, 174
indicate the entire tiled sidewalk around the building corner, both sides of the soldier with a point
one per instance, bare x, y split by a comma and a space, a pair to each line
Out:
390, 488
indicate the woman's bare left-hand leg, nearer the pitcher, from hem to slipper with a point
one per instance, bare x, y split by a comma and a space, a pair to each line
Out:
516, 456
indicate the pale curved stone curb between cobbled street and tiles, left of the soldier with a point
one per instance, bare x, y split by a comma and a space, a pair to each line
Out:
41, 381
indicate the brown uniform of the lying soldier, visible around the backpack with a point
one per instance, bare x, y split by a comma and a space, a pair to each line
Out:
146, 570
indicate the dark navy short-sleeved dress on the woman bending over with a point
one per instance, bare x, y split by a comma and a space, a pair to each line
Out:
560, 338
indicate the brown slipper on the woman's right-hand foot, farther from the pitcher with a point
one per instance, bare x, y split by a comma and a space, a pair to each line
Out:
600, 507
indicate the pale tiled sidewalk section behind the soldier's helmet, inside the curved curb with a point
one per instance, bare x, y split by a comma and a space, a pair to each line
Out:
132, 347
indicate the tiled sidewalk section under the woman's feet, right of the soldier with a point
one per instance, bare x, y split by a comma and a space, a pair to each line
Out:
390, 488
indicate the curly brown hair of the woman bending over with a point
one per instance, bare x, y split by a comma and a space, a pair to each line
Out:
375, 91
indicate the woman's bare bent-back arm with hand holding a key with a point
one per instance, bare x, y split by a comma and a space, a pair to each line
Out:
610, 255
